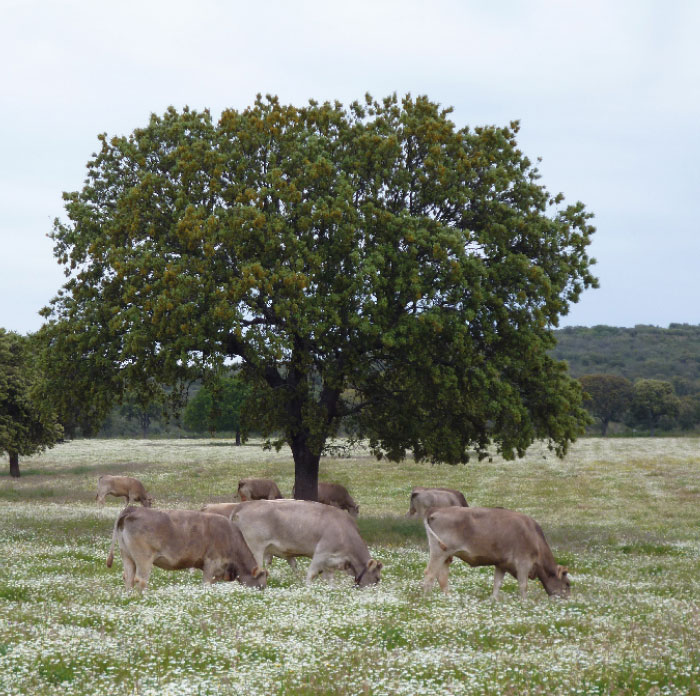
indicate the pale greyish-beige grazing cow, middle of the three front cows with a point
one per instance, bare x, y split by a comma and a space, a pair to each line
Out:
303, 528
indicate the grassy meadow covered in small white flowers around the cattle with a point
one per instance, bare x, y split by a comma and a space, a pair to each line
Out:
624, 515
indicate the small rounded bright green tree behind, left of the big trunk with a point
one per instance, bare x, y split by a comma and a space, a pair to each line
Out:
217, 407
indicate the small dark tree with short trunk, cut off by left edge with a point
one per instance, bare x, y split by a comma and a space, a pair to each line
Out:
27, 423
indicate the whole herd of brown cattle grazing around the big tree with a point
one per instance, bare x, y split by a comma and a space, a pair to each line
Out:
235, 541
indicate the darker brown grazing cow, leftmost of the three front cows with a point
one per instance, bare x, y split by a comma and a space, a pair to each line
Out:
177, 539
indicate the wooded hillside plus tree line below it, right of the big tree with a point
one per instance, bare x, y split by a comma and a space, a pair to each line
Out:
646, 379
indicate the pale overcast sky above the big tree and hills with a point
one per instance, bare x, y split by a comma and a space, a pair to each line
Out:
607, 92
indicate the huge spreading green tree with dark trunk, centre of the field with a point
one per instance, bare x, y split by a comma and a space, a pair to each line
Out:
371, 265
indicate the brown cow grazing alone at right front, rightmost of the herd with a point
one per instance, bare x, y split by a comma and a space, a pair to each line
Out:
509, 540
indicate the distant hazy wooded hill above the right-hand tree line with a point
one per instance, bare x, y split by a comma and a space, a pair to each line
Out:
671, 354
